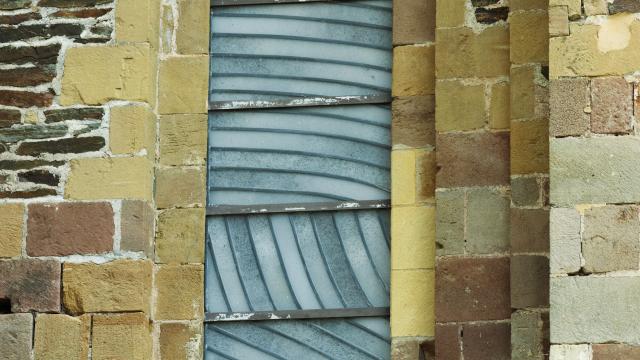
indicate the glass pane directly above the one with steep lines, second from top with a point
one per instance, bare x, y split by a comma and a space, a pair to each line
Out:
298, 155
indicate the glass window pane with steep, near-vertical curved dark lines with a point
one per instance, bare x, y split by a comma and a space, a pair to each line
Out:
322, 260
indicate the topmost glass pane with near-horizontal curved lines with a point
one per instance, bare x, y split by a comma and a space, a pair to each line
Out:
284, 51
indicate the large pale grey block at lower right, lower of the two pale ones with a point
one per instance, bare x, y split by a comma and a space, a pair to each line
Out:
588, 309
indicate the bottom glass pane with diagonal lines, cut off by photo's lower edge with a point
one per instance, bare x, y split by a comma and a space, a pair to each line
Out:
353, 338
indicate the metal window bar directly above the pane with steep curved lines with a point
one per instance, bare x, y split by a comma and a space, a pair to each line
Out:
297, 207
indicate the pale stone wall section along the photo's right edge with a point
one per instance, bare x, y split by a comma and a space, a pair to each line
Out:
594, 218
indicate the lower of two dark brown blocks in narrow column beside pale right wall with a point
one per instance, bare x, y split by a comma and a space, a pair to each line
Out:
529, 281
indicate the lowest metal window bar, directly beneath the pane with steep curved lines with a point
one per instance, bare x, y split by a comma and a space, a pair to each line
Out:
296, 314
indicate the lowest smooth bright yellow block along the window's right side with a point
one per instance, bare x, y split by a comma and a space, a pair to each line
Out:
412, 302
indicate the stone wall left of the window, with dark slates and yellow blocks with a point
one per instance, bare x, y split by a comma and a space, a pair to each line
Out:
102, 150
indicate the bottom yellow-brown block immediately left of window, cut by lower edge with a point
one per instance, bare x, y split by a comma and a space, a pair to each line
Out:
181, 341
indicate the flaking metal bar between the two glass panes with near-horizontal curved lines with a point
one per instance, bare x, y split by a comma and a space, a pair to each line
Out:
301, 102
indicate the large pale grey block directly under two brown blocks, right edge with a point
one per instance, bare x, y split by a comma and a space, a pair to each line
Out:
595, 170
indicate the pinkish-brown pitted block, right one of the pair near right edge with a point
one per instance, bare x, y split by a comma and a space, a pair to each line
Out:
611, 105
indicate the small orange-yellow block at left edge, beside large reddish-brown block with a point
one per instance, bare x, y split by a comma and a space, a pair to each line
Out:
11, 220
